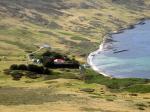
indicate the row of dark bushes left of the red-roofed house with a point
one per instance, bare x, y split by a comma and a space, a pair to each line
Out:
30, 71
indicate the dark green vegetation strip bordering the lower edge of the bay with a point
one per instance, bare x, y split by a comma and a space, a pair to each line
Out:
116, 85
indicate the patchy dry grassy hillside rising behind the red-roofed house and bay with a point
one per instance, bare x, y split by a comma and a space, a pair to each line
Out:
67, 25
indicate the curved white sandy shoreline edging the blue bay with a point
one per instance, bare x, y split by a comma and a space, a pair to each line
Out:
100, 49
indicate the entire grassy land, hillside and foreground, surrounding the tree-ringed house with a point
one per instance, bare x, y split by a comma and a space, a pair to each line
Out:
76, 28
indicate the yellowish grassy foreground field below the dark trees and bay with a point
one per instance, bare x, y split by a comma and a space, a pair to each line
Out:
67, 90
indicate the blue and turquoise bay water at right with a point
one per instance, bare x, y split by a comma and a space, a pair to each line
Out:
128, 55
